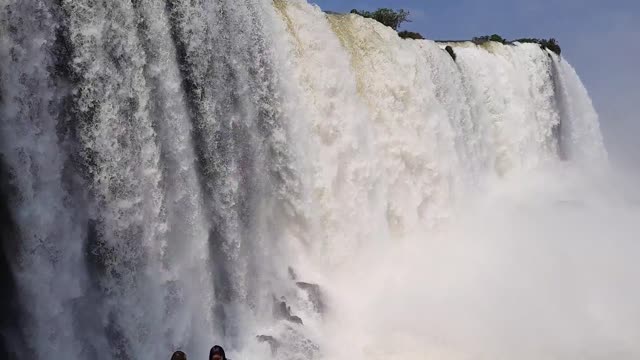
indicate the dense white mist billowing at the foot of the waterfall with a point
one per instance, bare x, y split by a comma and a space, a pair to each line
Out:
542, 265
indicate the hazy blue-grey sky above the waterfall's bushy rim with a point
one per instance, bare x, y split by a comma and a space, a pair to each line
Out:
600, 38
